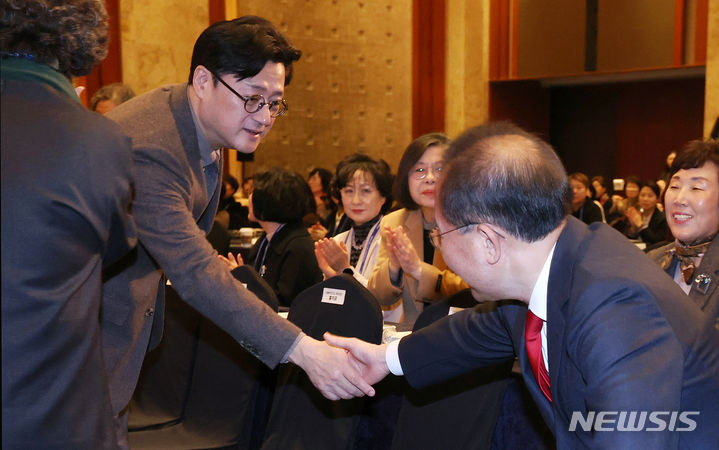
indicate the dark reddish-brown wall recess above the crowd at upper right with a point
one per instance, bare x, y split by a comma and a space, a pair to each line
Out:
625, 129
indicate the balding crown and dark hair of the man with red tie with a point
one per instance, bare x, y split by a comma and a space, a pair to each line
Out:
498, 173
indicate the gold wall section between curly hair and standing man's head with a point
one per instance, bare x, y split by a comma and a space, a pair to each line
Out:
157, 40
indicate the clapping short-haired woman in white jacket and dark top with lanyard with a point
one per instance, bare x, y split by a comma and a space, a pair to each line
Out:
365, 187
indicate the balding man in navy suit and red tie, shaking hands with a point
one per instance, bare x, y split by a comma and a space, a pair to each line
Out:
605, 345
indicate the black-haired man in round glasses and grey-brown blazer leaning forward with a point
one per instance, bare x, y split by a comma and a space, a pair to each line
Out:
234, 94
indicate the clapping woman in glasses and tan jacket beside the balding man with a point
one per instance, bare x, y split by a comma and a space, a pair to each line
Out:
410, 271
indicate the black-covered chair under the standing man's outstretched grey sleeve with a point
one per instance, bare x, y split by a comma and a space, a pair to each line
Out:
200, 388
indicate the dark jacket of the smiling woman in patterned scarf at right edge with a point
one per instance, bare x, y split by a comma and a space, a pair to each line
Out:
706, 299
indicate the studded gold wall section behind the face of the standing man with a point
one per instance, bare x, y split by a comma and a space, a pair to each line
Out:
352, 88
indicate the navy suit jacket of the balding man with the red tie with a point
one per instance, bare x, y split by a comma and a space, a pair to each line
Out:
618, 337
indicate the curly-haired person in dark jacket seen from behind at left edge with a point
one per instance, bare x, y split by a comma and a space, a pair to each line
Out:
66, 191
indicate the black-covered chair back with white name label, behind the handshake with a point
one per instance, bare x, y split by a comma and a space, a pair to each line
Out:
300, 416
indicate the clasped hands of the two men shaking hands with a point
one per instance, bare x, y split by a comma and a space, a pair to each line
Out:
341, 368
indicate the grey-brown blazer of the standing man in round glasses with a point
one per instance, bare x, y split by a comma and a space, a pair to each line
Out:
173, 215
